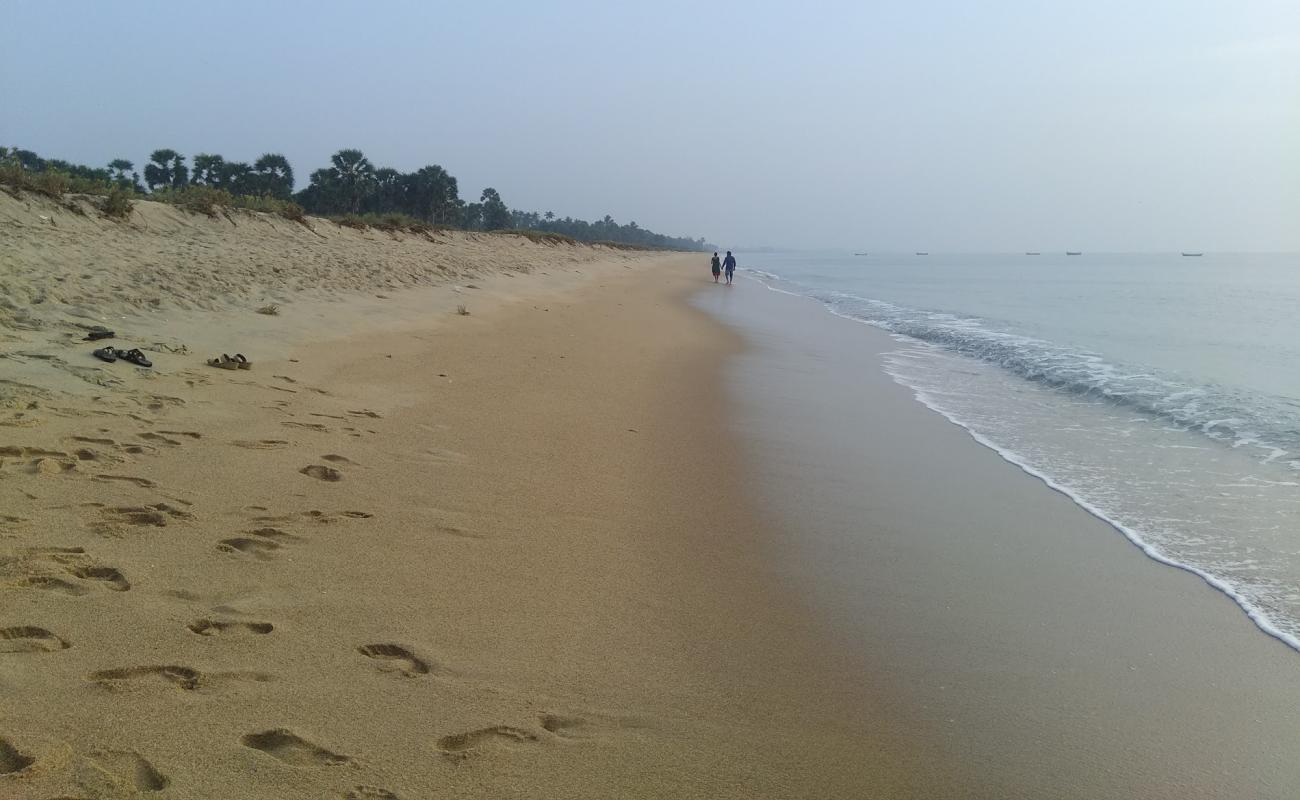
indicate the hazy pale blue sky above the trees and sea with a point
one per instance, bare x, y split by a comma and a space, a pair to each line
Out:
939, 126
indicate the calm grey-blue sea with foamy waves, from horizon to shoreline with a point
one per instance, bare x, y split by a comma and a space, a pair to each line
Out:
1160, 392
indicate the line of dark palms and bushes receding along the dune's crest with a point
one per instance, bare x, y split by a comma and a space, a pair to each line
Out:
350, 187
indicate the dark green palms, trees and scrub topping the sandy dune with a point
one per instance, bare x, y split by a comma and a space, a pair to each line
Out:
352, 192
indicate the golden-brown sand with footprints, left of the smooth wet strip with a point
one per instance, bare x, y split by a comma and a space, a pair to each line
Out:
410, 553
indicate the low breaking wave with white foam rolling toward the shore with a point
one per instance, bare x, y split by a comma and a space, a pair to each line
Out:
1229, 416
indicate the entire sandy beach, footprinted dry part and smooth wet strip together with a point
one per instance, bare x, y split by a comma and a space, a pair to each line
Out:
497, 518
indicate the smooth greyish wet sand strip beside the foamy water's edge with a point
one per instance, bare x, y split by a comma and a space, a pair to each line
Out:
1030, 648
